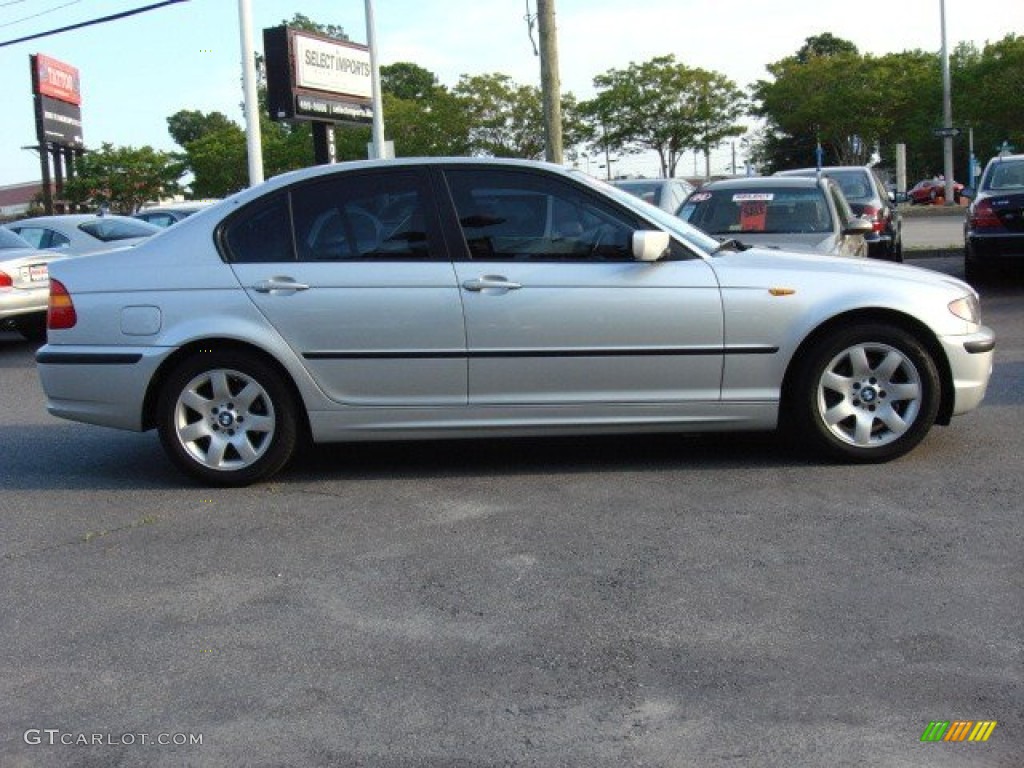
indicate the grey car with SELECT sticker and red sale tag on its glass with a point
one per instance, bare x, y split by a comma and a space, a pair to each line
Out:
796, 214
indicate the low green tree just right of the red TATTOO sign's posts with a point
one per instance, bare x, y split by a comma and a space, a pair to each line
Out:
124, 178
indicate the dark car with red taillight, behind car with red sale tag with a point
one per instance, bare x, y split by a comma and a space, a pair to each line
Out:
870, 199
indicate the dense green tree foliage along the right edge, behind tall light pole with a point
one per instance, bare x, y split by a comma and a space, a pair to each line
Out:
858, 105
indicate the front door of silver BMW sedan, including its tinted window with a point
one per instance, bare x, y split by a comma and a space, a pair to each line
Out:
557, 310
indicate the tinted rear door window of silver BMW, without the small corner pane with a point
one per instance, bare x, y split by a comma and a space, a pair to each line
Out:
365, 217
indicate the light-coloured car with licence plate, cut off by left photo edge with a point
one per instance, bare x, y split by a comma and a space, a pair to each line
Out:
24, 286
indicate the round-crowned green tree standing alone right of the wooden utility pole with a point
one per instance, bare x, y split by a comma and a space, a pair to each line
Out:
664, 106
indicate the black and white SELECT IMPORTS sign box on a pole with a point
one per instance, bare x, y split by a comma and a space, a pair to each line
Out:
312, 77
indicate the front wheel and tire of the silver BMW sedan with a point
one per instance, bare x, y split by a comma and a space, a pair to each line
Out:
867, 395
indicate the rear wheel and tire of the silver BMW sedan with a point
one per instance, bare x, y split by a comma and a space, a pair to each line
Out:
228, 419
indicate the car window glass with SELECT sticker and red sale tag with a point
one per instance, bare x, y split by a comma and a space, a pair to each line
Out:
766, 210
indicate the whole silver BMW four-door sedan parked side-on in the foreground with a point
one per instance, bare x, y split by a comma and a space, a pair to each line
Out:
478, 298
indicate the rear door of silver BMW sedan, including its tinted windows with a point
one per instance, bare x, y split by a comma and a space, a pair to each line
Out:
364, 292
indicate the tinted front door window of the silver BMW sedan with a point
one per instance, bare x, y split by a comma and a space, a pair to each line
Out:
510, 217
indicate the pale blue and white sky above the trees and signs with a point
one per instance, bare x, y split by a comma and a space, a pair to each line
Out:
139, 71
